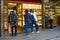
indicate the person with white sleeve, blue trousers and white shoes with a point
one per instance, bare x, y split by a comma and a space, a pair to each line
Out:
34, 21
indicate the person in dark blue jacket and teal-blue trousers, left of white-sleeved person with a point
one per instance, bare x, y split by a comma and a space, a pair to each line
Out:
27, 21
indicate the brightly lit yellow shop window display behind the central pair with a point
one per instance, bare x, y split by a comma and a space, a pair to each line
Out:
37, 8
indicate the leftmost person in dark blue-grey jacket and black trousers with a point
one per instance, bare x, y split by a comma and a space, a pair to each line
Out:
13, 22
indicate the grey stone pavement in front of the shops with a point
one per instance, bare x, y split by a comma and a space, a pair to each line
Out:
45, 34
